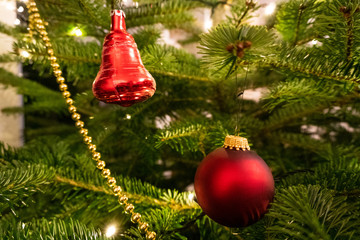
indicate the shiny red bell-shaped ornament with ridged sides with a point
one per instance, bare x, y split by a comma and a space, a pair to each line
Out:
122, 78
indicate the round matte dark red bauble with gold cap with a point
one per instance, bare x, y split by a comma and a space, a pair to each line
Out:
233, 185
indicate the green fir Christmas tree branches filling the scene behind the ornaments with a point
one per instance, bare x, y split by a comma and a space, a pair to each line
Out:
305, 126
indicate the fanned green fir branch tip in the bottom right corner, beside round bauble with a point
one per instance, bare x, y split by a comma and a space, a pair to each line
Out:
313, 212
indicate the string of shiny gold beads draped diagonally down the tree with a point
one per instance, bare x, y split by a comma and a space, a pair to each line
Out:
37, 24
